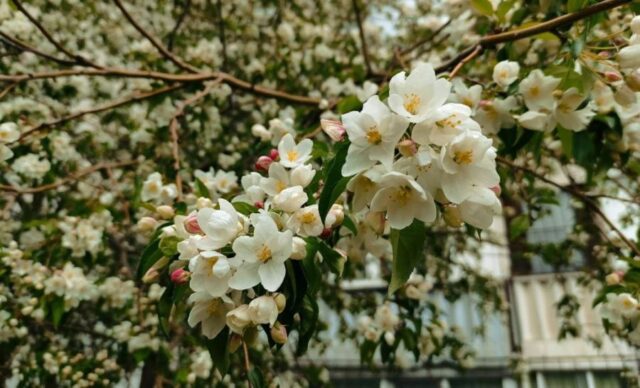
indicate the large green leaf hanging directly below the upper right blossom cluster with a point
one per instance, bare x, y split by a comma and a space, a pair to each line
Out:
408, 250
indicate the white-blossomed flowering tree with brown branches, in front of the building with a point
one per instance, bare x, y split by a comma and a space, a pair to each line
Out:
186, 185
